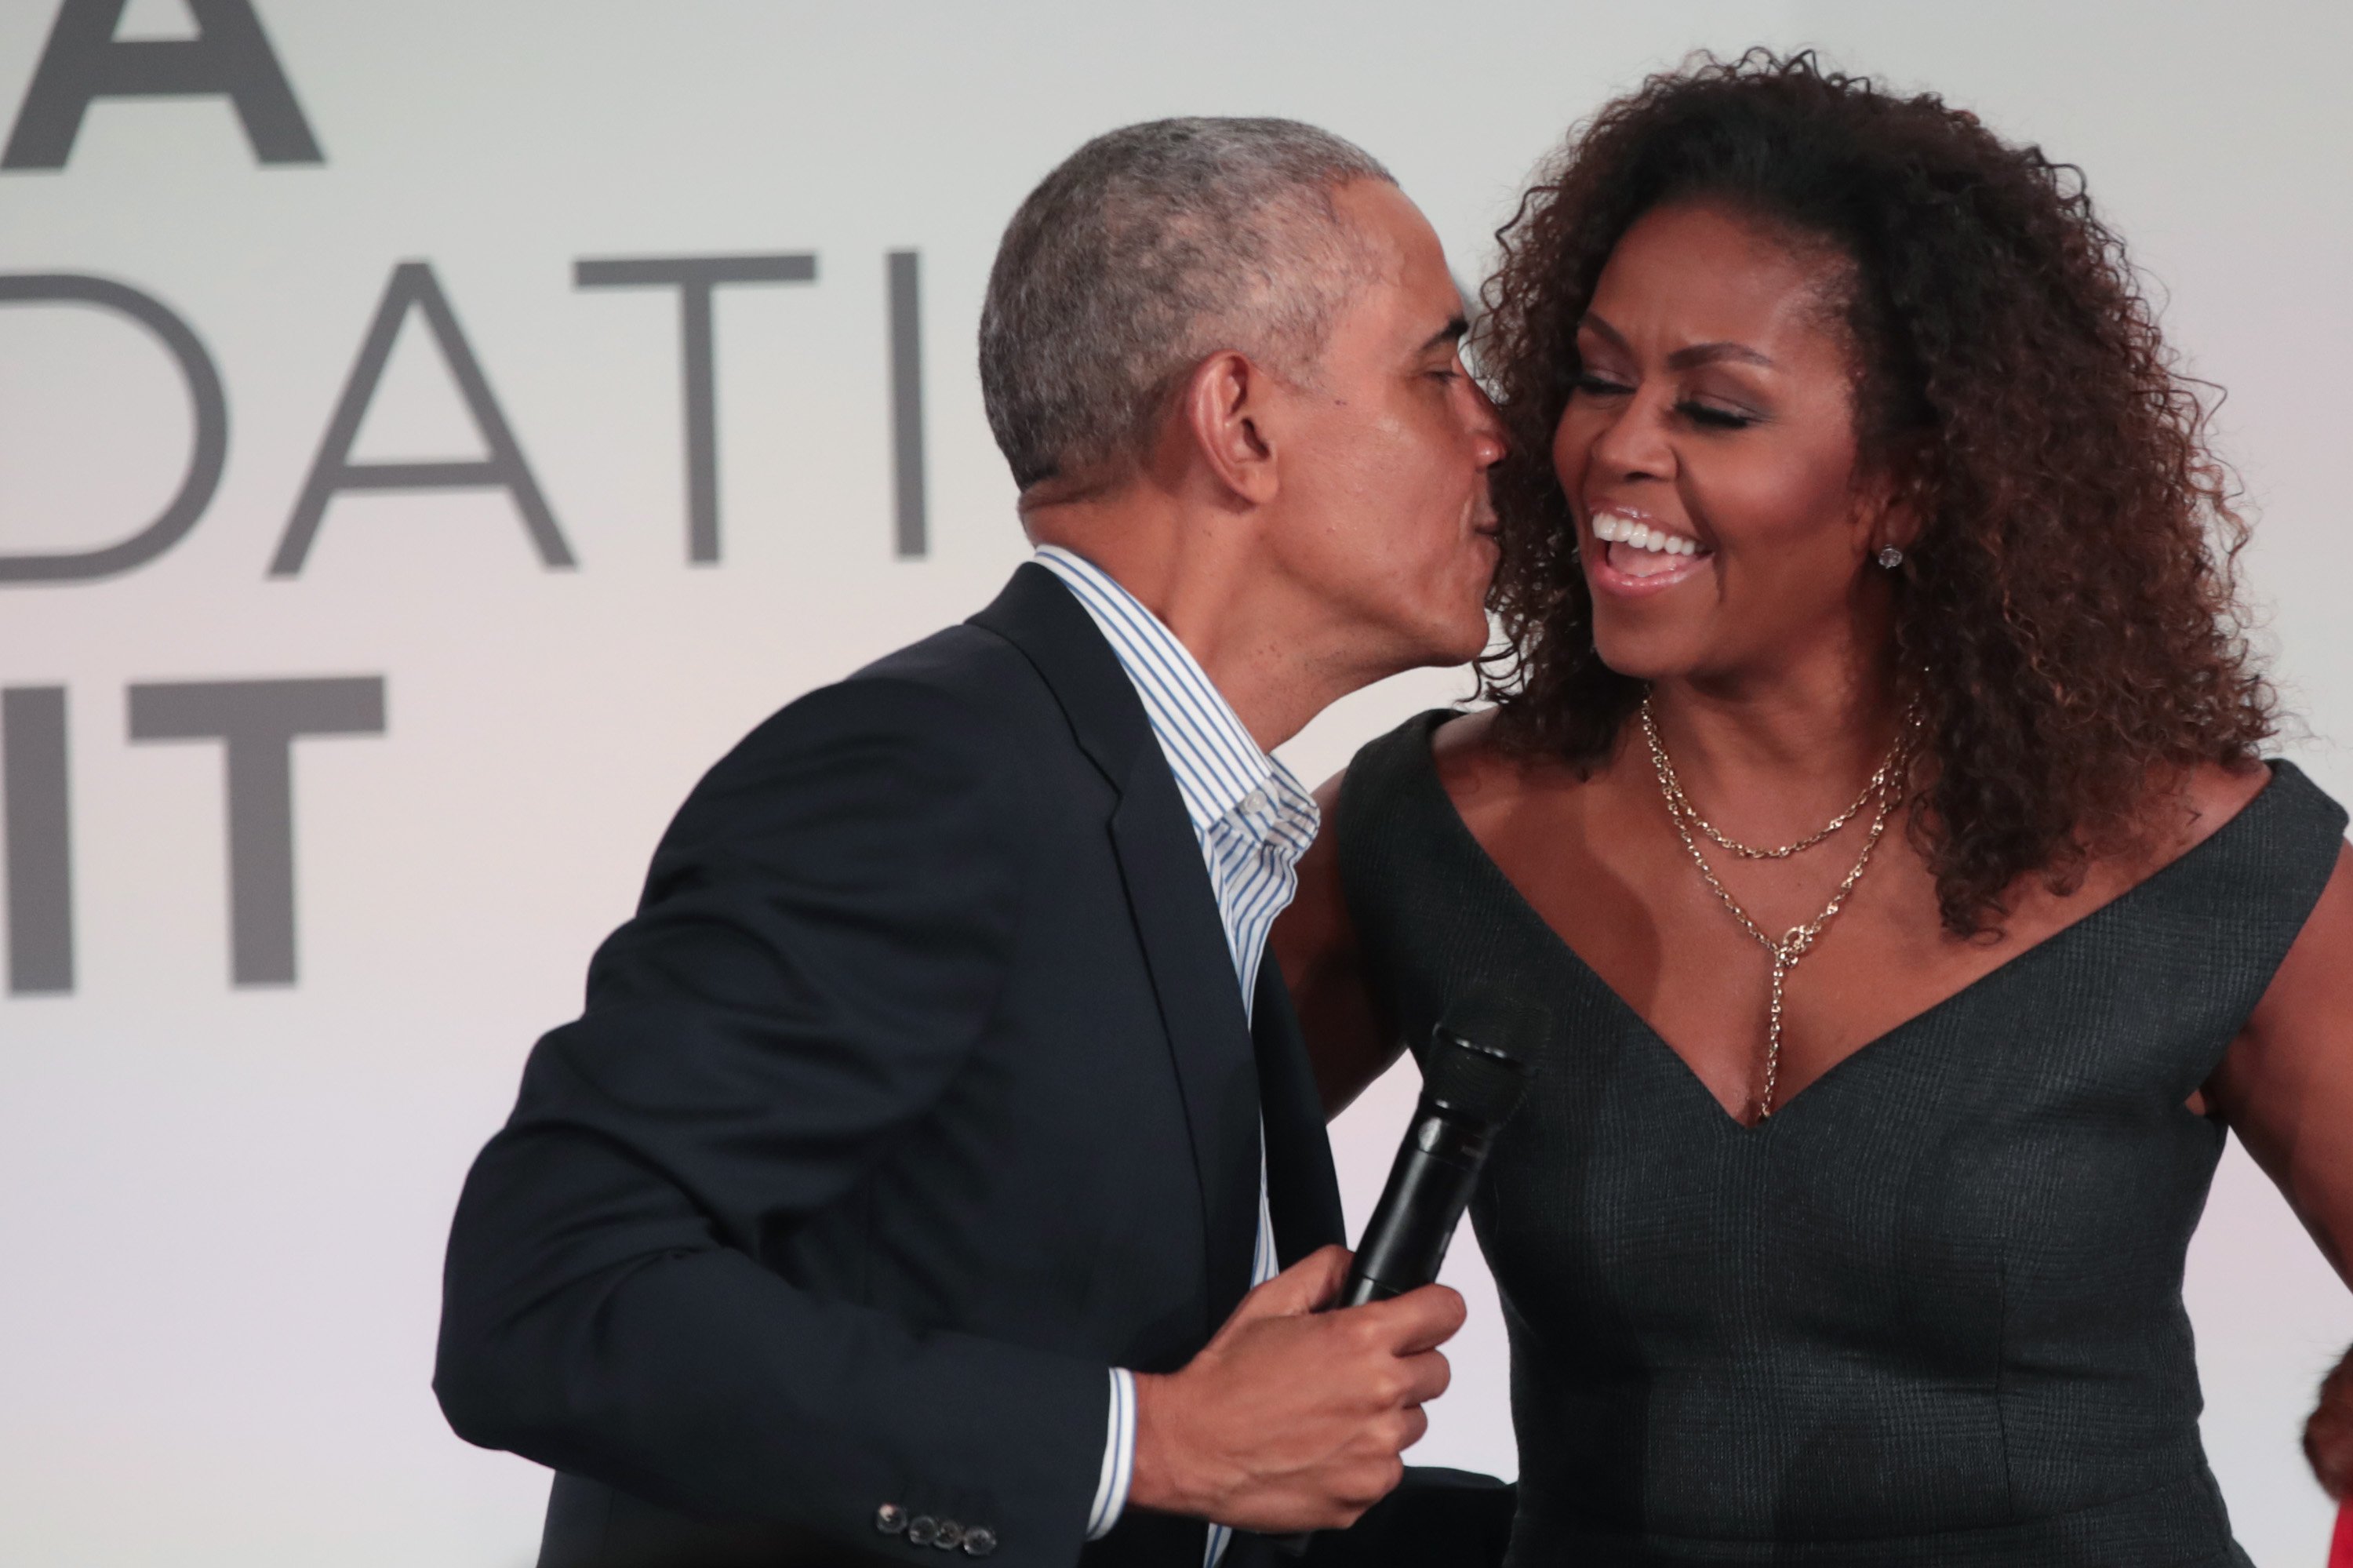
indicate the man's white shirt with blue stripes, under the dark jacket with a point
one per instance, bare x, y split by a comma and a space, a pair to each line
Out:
1253, 823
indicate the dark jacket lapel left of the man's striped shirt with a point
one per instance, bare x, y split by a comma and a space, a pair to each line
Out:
1175, 912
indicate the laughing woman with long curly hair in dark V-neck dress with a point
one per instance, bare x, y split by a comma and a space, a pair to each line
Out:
1872, 799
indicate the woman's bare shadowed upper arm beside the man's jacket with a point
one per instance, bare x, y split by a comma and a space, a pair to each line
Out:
1349, 1037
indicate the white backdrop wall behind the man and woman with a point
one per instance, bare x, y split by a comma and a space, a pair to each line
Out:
222, 1204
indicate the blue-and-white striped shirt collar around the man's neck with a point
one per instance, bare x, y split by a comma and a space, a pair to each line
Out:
1220, 769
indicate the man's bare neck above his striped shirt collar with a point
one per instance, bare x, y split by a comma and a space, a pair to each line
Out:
1201, 573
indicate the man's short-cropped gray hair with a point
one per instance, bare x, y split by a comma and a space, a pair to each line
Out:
1142, 255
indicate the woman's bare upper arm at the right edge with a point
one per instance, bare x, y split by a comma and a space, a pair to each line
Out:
2288, 1082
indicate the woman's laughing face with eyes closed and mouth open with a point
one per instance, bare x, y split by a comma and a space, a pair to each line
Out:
1709, 456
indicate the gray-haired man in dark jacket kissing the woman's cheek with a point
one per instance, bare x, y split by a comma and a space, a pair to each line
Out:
902, 1183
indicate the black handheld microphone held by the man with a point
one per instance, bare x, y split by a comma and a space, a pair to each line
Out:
1472, 1082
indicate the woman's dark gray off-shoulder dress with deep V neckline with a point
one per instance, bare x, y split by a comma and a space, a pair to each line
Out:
1931, 1313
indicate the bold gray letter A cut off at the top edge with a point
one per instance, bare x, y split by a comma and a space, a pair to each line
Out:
227, 60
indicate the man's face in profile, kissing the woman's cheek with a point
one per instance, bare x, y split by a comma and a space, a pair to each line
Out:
1385, 510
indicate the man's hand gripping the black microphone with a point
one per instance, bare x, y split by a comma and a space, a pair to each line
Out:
1291, 1418
